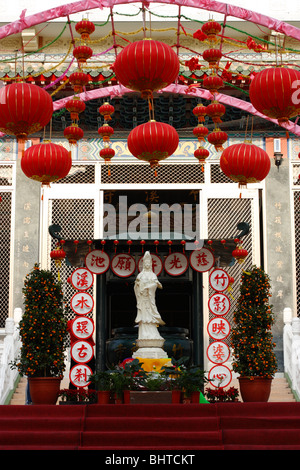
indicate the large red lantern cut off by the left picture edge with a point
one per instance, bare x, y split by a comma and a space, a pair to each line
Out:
24, 109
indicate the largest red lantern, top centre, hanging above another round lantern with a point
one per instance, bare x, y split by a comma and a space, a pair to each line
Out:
146, 66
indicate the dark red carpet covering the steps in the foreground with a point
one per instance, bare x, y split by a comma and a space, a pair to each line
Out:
227, 426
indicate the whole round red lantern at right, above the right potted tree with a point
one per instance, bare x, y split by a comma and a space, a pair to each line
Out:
245, 163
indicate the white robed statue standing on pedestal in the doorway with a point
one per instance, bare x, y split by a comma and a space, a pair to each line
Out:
149, 341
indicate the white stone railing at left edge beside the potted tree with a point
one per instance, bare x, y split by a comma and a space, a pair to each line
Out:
10, 350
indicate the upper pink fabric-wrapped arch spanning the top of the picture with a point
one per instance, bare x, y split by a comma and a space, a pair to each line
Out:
210, 5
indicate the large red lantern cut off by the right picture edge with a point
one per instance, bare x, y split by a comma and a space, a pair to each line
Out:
273, 92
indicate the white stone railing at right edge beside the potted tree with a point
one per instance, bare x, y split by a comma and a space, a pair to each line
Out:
291, 348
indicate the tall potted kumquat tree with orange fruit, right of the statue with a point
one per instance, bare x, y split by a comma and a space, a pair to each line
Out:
252, 339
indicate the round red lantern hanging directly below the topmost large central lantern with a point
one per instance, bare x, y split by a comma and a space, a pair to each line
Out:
153, 142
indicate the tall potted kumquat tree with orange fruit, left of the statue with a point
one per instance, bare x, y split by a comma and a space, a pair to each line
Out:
43, 333
